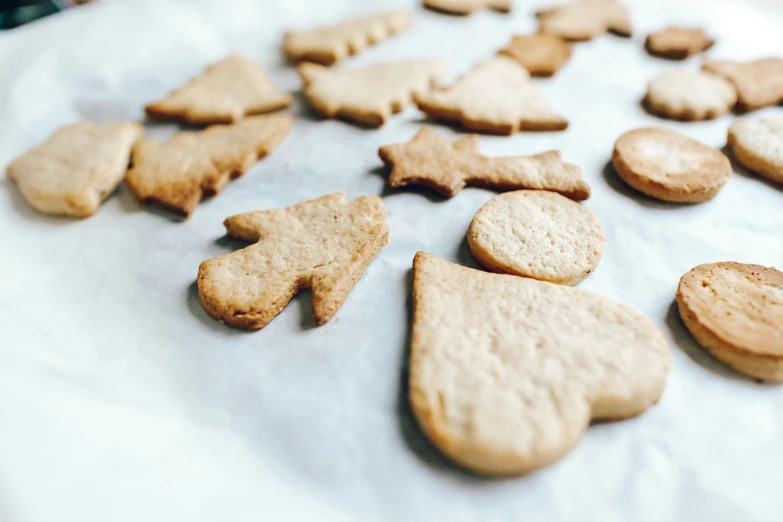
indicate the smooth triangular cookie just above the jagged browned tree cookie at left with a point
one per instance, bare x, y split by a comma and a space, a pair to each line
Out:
225, 92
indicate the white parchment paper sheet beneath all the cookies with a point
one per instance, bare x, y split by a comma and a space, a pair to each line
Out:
120, 400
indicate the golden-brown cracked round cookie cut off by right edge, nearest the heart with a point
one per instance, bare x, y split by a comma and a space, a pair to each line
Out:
735, 312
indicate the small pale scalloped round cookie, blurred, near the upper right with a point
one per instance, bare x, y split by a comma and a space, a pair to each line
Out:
690, 95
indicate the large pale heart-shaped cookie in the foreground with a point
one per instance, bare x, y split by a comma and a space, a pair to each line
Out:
506, 372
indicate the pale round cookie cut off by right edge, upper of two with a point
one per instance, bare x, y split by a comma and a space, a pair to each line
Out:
757, 144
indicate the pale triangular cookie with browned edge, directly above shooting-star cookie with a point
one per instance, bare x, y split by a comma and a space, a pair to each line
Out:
496, 96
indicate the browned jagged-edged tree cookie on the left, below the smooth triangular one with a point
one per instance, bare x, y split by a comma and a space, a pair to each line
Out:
179, 172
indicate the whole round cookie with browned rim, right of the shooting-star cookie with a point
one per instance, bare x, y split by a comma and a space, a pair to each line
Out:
670, 166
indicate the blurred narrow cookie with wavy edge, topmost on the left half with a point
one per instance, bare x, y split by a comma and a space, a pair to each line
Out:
330, 44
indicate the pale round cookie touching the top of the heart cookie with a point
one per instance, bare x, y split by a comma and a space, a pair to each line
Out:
537, 234
